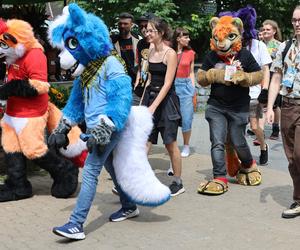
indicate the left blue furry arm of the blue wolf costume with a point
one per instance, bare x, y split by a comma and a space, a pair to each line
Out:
74, 109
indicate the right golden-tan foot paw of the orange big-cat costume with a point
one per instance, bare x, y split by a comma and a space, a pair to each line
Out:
249, 176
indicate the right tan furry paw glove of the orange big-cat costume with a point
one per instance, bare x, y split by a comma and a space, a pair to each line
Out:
247, 79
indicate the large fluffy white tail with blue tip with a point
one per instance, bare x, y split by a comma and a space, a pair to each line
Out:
133, 171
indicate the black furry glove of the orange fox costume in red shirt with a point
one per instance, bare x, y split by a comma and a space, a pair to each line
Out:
17, 88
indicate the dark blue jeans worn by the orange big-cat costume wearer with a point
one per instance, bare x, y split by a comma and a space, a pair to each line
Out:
221, 121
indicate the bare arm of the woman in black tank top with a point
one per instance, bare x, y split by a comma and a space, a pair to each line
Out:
171, 60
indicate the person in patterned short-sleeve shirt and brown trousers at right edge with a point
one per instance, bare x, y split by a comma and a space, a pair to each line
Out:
287, 77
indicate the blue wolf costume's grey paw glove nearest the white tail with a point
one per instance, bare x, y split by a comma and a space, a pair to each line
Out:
99, 136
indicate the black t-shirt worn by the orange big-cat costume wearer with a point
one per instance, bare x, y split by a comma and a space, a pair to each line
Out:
234, 97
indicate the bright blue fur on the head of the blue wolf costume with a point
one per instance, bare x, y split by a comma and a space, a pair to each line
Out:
90, 31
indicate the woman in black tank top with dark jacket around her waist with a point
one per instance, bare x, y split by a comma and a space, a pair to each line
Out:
161, 98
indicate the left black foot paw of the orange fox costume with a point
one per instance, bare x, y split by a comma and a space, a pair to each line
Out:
11, 193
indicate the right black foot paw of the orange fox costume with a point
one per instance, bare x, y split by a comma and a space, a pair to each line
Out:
65, 185
